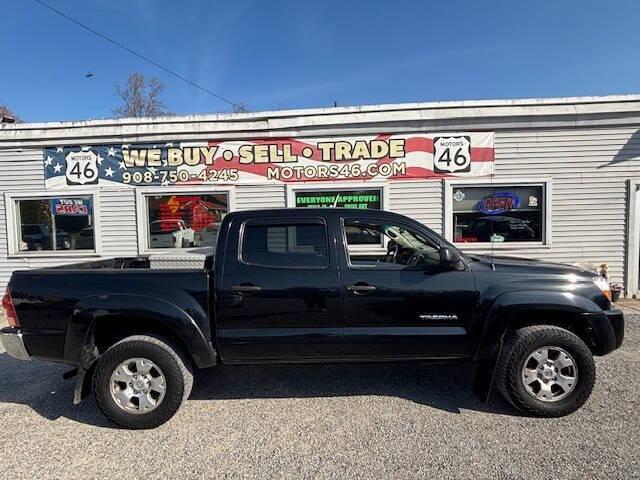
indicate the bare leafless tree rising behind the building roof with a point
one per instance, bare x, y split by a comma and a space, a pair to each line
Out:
140, 97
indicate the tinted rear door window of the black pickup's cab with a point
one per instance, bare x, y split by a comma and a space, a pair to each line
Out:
284, 244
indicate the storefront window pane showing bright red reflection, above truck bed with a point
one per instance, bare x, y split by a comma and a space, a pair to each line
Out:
180, 221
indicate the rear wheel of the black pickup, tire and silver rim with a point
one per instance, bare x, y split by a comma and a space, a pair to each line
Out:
171, 372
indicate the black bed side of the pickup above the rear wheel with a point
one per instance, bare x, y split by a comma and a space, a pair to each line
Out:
58, 307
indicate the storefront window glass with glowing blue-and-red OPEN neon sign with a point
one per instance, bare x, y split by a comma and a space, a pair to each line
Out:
498, 214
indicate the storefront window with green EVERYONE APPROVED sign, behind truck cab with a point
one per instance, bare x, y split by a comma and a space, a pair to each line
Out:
362, 198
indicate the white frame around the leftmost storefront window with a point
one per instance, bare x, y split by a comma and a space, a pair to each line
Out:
14, 229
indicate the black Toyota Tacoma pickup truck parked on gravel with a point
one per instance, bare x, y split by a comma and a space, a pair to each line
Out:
315, 285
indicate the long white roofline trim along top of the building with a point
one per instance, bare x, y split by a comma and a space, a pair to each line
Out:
453, 116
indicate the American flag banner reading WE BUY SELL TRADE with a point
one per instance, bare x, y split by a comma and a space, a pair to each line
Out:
287, 160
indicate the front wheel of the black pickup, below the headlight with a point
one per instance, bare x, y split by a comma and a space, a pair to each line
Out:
526, 346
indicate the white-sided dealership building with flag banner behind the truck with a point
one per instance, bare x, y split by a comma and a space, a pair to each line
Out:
554, 179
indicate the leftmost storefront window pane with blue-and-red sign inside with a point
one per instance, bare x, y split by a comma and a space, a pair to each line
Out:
56, 224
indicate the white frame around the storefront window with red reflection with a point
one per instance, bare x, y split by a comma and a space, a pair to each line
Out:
142, 211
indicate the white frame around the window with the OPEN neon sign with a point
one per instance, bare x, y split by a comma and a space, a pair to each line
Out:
547, 211
